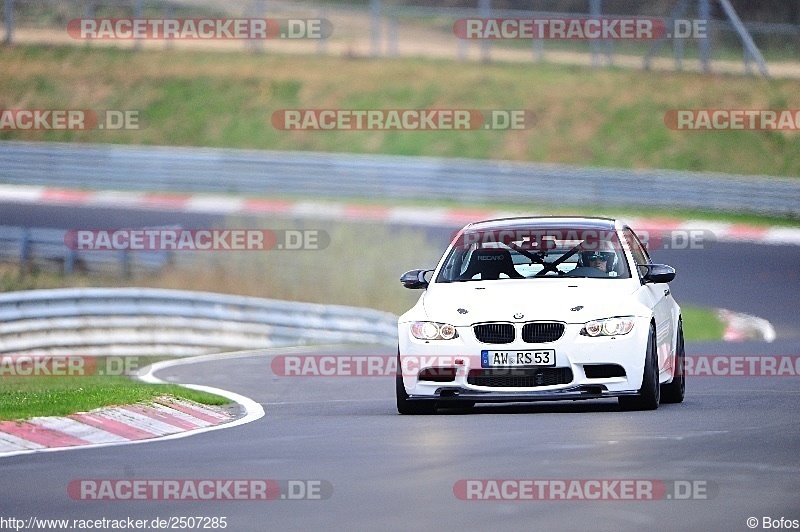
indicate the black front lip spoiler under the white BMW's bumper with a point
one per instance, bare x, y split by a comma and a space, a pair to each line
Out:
454, 394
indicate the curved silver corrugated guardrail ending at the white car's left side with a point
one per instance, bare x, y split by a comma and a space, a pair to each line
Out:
143, 321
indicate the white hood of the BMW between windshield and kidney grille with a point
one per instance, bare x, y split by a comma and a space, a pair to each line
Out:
535, 299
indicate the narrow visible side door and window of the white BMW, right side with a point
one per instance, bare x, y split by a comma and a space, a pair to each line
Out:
660, 301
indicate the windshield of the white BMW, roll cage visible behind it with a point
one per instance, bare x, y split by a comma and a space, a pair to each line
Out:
534, 253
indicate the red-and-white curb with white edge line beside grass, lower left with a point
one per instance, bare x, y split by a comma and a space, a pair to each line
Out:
165, 418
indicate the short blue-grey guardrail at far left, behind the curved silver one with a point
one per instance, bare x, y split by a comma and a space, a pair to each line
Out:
44, 249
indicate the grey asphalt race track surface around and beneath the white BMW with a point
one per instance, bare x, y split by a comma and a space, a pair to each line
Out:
738, 437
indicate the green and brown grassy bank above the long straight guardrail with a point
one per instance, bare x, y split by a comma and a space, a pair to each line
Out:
606, 117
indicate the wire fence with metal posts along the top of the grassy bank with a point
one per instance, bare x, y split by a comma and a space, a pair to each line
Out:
386, 28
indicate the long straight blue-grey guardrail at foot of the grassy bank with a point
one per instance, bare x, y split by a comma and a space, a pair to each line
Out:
313, 174
